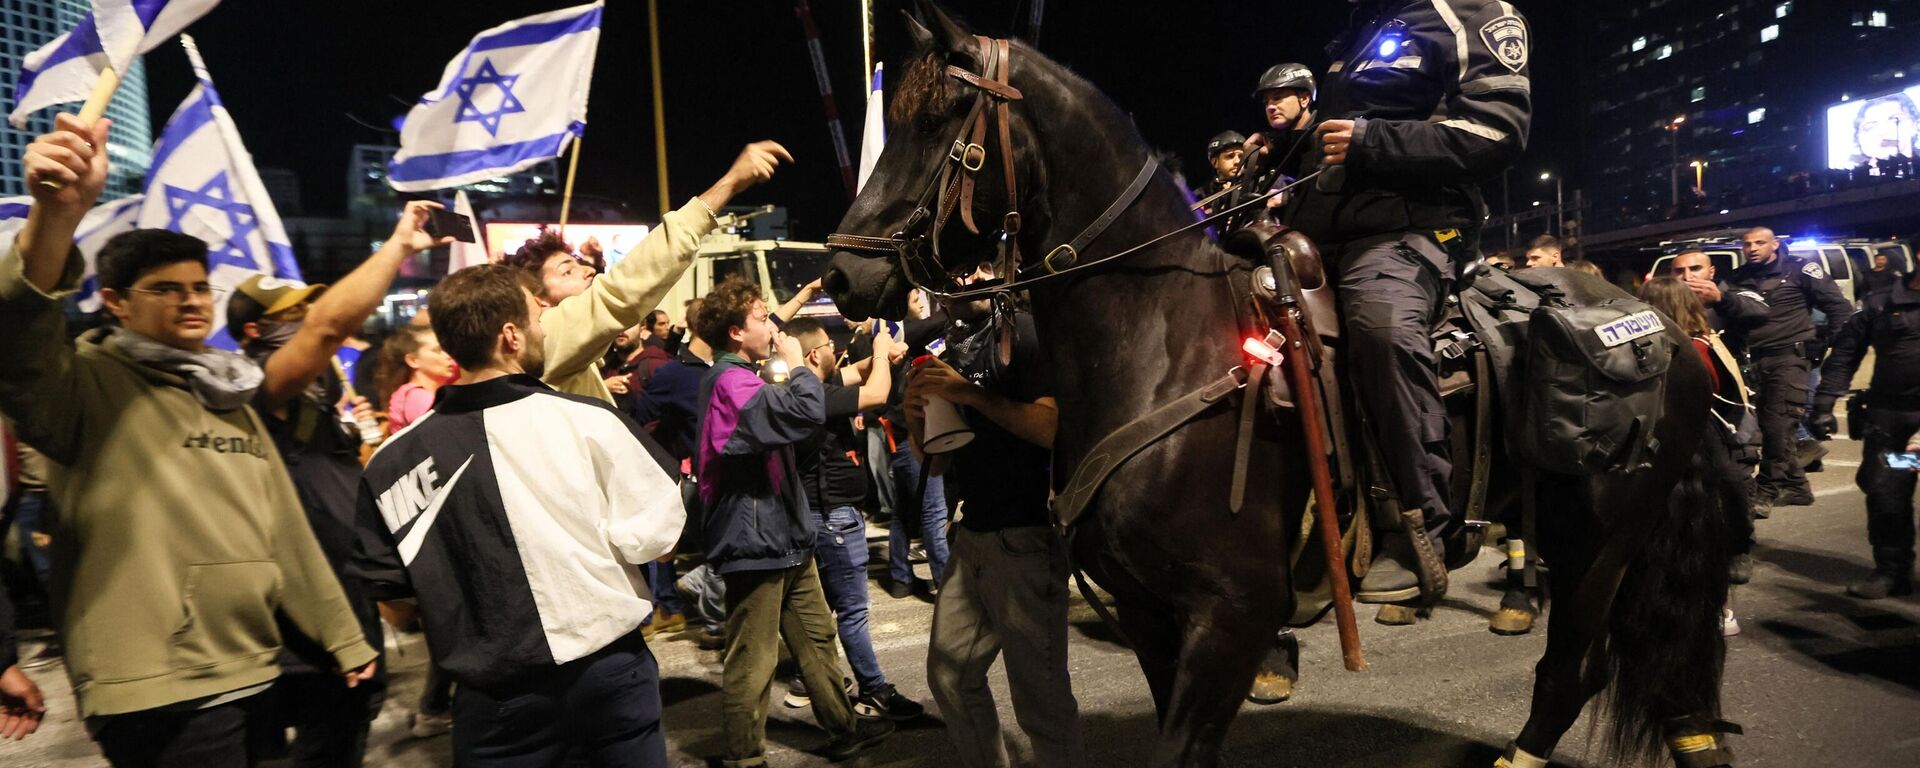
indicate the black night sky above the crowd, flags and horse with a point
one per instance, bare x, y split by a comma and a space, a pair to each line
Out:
308, 80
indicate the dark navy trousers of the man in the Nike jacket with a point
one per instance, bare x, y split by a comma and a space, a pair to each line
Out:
602, 709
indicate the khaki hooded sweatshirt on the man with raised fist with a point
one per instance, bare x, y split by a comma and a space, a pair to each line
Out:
180, 533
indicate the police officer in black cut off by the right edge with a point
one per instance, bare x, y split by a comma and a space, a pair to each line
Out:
1888, 324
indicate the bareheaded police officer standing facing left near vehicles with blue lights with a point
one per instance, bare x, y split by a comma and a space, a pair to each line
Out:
1783, 350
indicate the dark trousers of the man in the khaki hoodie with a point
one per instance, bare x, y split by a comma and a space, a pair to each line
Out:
197, 738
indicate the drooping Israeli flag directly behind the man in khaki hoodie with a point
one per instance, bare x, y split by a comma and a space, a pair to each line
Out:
203, 183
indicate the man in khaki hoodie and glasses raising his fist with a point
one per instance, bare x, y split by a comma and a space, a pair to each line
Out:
180, 533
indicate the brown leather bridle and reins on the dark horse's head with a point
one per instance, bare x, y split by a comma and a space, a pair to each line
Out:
953, 187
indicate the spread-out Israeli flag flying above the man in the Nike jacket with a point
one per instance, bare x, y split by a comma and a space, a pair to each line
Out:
514, 99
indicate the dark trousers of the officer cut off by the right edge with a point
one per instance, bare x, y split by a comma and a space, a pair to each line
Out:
1890, 492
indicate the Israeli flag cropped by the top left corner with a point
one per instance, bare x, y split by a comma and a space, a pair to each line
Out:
114, 34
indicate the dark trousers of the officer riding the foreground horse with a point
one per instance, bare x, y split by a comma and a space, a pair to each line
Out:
1391, 293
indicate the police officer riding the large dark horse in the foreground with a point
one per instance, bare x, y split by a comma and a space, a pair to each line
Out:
1424, 101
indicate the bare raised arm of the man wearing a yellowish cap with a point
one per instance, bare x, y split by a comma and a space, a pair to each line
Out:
345, 306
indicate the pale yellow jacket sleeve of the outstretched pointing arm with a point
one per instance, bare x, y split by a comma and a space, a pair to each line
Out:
583, 327
